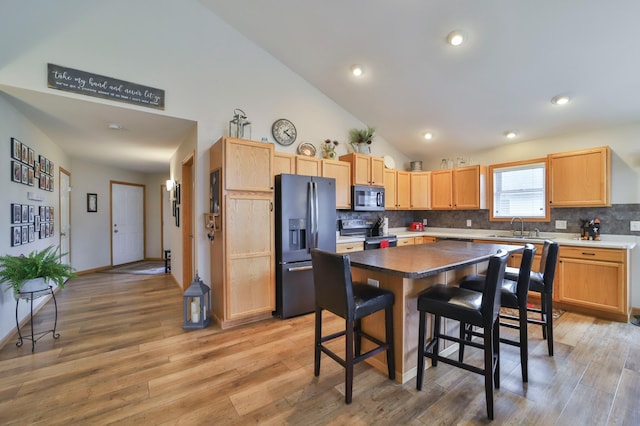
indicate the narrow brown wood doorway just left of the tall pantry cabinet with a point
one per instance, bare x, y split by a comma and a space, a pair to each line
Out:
187, 221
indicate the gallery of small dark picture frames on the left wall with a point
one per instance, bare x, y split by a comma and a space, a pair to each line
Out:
29, 221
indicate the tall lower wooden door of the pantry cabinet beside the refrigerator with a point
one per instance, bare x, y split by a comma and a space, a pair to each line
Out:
250, 286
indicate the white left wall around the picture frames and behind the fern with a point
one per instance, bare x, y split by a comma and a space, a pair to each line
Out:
13, 124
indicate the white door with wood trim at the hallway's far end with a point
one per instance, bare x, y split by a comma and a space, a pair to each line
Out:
127, 223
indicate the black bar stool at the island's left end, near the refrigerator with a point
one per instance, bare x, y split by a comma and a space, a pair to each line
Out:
336, 293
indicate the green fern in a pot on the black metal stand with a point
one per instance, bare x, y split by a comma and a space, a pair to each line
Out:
35, 271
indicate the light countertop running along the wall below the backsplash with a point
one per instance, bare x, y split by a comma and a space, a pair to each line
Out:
627, 242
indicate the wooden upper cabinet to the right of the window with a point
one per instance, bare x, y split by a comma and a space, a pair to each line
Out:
580, 178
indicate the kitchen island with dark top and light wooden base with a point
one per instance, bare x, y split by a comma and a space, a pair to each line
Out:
407, 271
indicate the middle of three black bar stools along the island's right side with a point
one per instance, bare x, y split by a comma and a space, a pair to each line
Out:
513, 294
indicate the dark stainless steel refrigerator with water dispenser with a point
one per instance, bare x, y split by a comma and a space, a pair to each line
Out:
305, 219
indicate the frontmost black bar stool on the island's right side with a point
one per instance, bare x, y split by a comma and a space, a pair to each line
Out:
469, 307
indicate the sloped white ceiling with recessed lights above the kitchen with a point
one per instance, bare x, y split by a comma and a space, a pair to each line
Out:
518, 55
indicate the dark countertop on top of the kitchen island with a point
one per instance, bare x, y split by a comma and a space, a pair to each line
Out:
423, 260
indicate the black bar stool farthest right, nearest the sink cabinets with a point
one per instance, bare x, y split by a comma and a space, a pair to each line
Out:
542, 282
